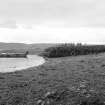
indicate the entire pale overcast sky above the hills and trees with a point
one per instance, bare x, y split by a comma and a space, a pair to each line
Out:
52, 21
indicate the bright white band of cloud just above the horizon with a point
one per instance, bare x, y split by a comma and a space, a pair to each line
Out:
44, 34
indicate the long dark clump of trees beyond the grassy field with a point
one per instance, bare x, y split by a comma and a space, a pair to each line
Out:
72, 50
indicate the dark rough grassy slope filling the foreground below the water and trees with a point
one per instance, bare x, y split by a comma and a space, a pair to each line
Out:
60, 81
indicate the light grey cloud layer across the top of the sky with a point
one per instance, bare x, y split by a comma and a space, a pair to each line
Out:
72, 12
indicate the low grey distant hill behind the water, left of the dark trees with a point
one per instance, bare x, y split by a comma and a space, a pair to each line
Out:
21, 47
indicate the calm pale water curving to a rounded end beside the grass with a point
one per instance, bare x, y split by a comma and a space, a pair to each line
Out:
14, 64
